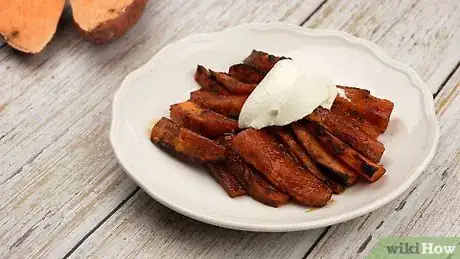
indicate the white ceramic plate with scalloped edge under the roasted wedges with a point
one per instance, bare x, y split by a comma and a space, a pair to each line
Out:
167, 78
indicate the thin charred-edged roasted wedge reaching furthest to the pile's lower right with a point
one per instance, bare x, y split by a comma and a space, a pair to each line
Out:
366, 168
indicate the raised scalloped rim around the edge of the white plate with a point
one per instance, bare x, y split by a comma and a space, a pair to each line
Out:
372, 47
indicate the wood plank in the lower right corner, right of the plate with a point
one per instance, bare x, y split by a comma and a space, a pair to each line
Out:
430, 207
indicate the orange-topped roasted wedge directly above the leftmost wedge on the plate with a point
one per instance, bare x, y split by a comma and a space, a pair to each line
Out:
201, 120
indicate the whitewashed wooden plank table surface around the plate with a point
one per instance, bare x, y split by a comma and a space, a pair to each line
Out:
62, 193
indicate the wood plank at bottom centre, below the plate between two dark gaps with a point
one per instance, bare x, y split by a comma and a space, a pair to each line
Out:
145, 229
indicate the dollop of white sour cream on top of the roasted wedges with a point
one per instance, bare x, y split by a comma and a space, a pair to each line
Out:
285, 95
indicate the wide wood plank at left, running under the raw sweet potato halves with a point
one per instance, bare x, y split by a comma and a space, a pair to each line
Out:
59, 177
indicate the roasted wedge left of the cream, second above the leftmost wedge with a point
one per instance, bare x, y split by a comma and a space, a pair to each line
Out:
228, 105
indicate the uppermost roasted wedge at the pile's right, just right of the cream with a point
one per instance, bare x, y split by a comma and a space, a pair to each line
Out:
376, 110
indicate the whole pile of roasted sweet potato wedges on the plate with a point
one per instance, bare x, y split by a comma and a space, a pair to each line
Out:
306, 161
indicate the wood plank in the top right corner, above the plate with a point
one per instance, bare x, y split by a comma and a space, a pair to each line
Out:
424, 34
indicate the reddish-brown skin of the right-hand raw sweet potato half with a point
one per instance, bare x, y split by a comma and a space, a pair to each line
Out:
112, 29
